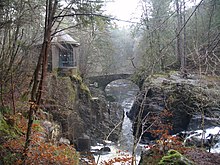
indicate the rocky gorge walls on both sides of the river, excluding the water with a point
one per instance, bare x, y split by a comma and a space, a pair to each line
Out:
85, 113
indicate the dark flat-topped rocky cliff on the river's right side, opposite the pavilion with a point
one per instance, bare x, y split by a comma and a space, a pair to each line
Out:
183, 98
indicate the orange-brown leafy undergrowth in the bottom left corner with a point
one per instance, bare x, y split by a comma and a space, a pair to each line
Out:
40, 151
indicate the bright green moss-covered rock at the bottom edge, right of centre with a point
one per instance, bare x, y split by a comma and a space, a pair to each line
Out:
173, 157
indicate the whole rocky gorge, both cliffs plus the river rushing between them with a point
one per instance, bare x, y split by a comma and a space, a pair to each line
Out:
72, 112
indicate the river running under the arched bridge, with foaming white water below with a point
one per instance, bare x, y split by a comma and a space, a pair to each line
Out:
124, 93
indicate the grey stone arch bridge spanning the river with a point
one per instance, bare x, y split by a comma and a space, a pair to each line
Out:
104, 80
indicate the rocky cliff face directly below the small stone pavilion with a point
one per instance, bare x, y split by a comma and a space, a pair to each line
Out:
80, 113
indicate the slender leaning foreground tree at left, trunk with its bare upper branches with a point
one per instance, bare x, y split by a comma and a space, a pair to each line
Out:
52, 22
